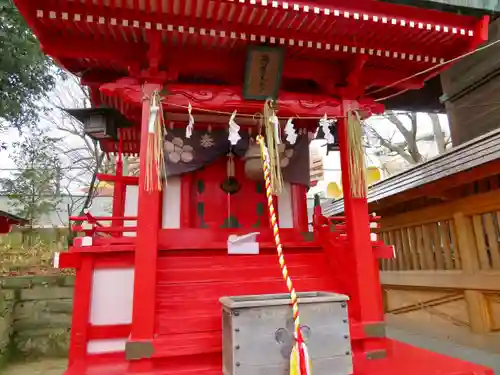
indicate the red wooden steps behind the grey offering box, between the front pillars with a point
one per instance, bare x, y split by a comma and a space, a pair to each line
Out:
189, 285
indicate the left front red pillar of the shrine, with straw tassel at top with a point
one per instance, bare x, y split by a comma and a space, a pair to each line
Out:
146, 251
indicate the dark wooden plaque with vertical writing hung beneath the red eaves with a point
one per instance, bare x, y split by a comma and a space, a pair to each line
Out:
263, 73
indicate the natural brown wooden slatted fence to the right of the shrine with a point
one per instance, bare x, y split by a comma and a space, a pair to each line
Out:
448, 259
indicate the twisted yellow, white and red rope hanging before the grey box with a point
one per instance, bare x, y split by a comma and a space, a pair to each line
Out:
299, 359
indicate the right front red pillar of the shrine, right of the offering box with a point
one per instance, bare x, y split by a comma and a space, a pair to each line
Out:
366, 300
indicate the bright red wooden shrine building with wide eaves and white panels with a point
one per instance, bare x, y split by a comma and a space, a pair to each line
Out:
149, 280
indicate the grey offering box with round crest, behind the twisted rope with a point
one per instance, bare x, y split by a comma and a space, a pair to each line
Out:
257, 333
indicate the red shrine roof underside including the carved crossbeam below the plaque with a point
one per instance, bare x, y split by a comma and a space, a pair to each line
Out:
333, 49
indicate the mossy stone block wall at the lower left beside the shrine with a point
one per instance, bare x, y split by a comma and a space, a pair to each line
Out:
35, 316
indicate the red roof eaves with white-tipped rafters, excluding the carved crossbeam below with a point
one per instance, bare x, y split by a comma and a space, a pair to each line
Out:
324, 40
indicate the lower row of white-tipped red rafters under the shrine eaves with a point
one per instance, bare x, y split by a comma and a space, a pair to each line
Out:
79, 13
